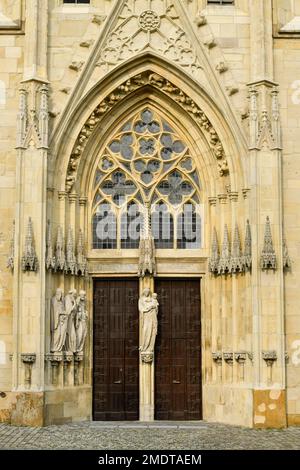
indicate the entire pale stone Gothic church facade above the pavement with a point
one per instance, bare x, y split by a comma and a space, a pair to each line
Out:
149, 187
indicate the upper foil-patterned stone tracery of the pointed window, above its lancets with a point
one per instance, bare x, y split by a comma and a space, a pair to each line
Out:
146, 159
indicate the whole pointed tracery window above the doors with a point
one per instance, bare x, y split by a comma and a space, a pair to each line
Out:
148, 163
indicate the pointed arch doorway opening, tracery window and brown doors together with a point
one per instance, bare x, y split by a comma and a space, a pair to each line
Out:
146, 163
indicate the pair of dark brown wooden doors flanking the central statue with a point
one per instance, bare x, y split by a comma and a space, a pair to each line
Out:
177, 351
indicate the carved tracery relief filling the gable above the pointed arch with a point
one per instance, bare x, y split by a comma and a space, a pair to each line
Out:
136, 32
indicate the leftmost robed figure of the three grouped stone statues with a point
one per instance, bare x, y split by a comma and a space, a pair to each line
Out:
58, 321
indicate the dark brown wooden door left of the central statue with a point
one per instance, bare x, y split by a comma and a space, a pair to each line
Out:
116, 356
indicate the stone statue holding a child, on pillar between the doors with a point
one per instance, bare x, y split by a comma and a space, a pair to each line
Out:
148, 308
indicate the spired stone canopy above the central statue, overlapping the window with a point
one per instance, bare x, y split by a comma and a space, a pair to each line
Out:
147, 262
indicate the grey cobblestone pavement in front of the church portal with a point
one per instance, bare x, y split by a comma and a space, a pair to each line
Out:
156, 436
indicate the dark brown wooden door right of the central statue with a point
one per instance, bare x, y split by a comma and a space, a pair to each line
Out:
178, 392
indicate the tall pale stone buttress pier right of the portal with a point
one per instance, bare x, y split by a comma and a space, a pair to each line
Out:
266, 201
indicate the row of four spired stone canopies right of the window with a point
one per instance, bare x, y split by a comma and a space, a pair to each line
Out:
232, 259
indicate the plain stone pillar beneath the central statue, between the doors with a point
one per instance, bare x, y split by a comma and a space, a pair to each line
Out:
146, 390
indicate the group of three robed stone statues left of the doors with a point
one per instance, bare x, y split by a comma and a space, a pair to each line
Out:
68, 322
